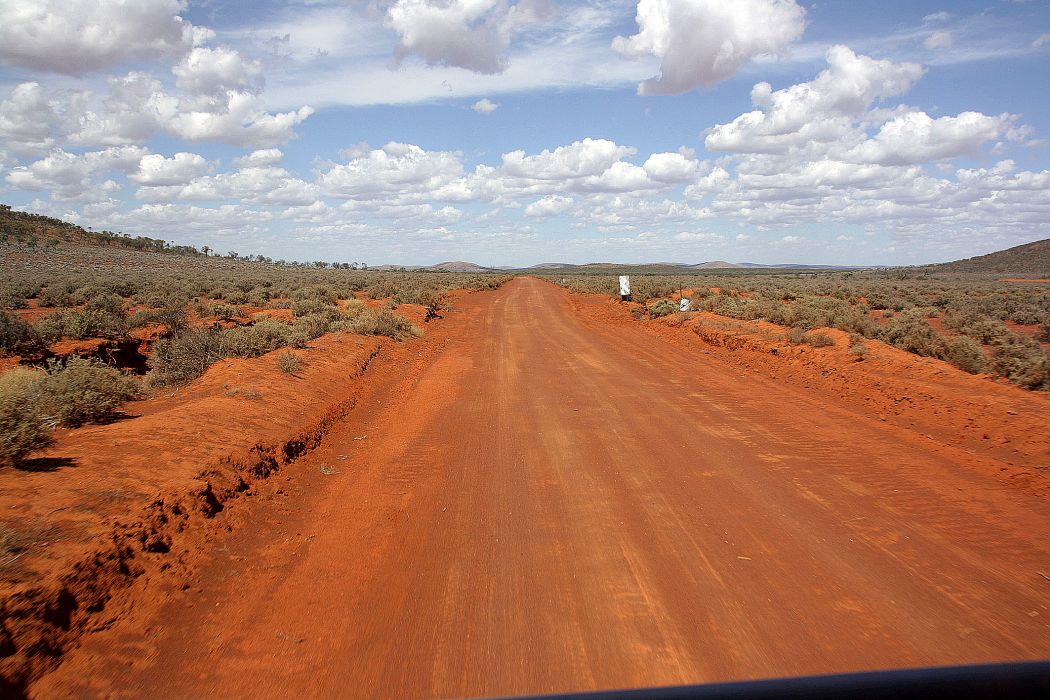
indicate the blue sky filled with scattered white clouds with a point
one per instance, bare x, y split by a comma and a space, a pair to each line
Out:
414, 132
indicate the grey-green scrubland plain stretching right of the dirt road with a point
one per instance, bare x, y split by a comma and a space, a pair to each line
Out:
978, 324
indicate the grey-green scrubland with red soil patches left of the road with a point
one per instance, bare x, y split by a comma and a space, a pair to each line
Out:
94, 324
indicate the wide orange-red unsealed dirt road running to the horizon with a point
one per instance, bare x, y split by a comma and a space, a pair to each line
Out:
553, 503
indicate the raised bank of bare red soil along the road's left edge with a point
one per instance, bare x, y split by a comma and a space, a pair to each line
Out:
109, 503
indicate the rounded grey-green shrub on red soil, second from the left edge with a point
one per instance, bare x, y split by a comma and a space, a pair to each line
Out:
85, 391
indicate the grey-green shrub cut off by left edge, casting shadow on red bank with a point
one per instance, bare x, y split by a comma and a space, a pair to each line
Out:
24, 428
